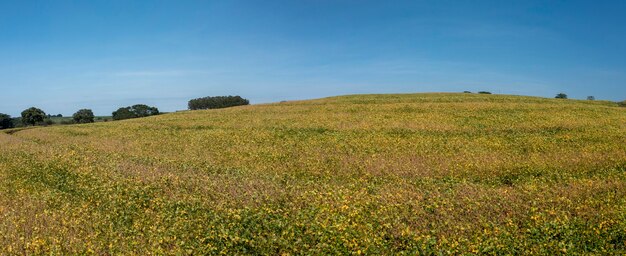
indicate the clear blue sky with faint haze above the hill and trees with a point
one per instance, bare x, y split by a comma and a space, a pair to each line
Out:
62, 56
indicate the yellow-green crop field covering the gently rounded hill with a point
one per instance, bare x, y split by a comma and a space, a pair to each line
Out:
367, 174
